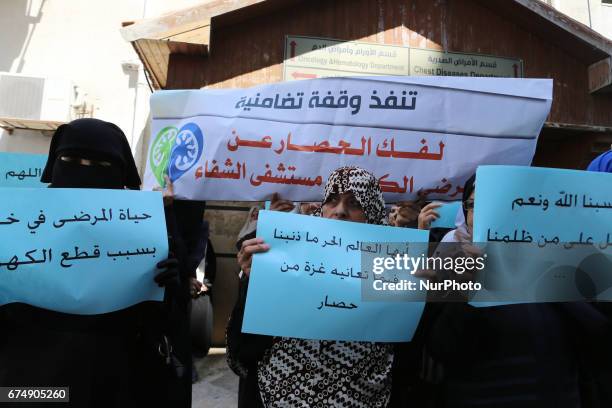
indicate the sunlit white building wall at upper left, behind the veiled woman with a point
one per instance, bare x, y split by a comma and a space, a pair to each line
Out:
79, 40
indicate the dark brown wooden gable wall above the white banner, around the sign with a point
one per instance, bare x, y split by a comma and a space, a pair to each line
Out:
251, 52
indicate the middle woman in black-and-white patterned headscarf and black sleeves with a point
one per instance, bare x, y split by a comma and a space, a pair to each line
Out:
290, 372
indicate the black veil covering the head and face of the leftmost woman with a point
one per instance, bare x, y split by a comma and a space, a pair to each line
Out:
92, 139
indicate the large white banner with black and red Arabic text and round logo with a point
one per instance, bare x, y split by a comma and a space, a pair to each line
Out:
413, 133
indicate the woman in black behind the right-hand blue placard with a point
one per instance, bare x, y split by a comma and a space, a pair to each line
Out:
512, 356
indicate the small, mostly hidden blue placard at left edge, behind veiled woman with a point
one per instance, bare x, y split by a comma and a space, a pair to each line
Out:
21, 169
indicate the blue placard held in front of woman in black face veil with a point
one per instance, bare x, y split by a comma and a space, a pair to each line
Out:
80, 251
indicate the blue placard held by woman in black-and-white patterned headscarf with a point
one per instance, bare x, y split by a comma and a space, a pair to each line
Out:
309, 284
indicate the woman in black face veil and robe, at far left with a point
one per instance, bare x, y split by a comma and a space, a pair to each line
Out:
103, 359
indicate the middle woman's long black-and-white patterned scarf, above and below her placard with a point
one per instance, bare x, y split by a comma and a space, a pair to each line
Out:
310, 373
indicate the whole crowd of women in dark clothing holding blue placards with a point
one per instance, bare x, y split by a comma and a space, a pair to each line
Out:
530, 355
